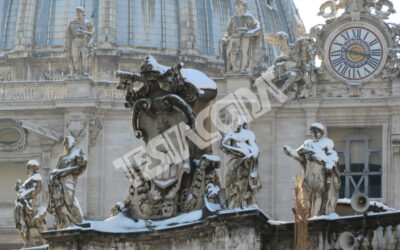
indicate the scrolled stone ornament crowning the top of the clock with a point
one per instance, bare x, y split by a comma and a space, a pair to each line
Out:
383, 8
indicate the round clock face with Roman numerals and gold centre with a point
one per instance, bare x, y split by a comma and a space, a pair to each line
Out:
355, 52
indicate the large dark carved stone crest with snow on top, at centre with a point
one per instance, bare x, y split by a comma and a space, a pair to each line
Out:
164, 102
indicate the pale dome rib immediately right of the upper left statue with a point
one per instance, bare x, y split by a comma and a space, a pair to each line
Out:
107, 23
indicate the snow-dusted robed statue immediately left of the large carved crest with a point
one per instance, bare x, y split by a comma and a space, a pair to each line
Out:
62, 185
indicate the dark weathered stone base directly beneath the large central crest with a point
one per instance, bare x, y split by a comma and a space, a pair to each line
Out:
232, 229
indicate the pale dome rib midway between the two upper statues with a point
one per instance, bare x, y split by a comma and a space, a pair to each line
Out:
187, 26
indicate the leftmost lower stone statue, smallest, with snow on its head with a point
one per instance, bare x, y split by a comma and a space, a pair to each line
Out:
28, 217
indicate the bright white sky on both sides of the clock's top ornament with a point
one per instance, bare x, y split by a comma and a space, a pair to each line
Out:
308, 10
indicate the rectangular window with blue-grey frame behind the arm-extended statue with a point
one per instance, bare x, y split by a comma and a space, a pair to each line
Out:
360, 160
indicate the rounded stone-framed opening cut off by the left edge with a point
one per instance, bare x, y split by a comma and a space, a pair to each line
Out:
8, 126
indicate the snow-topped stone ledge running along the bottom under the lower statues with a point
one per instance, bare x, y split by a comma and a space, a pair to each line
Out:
227, 229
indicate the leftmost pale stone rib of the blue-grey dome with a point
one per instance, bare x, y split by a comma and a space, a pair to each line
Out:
25, 25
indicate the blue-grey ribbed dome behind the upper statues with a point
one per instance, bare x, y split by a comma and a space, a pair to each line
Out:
168, 24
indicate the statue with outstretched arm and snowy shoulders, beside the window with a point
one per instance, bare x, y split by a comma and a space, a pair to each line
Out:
320, 183
